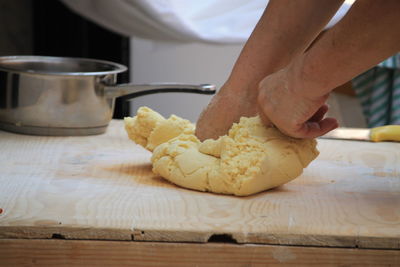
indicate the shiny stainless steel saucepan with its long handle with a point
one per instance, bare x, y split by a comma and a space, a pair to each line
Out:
67, 96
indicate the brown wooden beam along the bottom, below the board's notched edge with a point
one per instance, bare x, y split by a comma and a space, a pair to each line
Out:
117, 253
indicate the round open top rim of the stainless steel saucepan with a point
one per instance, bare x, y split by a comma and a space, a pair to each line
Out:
16, 64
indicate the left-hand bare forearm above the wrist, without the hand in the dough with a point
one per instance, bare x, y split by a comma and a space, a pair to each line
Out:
284, 31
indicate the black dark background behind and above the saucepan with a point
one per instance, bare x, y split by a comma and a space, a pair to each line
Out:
49, 28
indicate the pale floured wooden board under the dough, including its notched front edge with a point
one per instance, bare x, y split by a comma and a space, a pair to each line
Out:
102, 187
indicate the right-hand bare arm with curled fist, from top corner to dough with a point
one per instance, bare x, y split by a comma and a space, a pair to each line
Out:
293, 98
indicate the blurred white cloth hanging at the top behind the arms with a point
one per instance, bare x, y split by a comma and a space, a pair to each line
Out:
211, 21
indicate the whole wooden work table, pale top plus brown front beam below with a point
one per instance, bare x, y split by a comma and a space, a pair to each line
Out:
94, 199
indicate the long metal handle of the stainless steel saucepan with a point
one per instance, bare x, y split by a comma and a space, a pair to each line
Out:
135, 90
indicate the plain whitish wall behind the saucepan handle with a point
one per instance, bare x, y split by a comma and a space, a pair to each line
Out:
153, 61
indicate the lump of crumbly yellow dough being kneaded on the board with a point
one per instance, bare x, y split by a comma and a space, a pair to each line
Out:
251, 158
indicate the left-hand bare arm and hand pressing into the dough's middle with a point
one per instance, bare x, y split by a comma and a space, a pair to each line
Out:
284, 31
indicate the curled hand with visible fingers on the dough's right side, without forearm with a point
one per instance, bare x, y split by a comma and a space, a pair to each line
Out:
283, 102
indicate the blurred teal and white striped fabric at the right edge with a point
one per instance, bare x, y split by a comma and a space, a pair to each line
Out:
378, 90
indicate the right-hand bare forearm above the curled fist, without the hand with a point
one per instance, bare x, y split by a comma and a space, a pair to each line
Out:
368, 34
